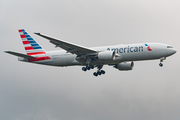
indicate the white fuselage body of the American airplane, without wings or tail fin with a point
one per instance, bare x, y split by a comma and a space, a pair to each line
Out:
129, 52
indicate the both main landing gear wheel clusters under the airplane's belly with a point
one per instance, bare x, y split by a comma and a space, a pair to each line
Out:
99, 71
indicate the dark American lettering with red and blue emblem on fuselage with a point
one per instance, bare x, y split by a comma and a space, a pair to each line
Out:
129, 49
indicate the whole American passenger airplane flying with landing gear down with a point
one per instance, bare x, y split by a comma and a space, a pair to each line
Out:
120, 57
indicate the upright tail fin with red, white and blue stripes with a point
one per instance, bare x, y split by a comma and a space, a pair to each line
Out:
32, 48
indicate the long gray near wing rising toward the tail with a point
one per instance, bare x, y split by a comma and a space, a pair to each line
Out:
69, 47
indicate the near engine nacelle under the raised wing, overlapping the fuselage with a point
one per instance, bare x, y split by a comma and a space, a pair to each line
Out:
106, 55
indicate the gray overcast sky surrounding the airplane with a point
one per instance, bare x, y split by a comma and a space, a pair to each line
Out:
35, 92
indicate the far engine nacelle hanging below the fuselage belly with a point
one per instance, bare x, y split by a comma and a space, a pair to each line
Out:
125, 66
